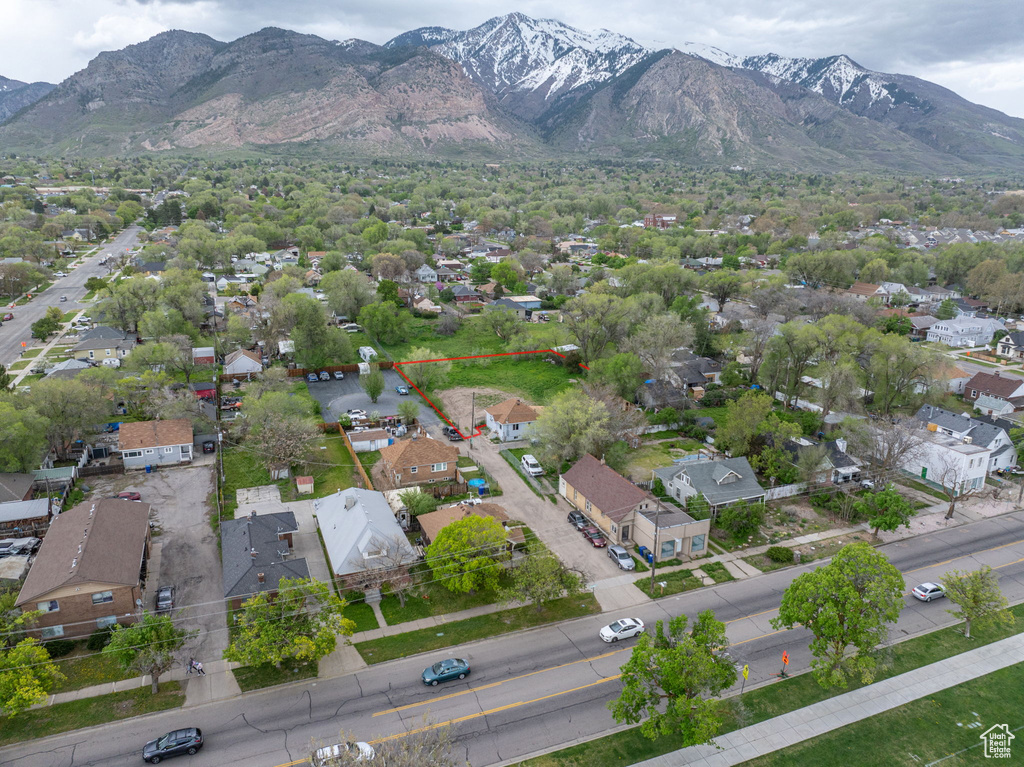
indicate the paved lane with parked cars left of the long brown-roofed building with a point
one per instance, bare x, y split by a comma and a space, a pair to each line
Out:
545, 519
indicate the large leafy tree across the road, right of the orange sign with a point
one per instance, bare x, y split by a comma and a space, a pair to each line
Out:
848, 603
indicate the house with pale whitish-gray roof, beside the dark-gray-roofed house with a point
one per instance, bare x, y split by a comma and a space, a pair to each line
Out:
361, 533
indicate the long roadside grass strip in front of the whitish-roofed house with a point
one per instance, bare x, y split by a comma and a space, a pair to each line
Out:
459, 632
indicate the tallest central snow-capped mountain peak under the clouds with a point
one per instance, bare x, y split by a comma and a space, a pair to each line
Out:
530, 64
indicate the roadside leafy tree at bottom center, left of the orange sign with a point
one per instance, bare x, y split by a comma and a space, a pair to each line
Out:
672, 678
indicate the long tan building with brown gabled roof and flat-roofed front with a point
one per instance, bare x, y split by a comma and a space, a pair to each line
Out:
627, 516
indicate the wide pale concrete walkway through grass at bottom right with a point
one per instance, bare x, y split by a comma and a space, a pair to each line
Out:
812, 721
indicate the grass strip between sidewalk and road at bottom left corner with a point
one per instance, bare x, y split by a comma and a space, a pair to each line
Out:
89, 713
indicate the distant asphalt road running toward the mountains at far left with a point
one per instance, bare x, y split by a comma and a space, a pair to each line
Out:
18, 330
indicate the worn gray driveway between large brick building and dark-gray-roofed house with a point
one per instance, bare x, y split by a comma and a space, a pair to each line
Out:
185, 548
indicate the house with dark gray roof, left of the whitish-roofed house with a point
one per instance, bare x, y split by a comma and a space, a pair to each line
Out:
258, 553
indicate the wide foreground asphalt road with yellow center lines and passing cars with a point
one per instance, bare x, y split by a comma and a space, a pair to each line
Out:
528, 693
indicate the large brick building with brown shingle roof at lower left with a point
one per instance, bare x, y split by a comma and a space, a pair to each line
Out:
89, 573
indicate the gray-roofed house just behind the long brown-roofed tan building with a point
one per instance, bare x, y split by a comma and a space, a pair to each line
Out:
721, 484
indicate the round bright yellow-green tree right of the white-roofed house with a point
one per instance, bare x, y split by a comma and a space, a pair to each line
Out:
468, 555
